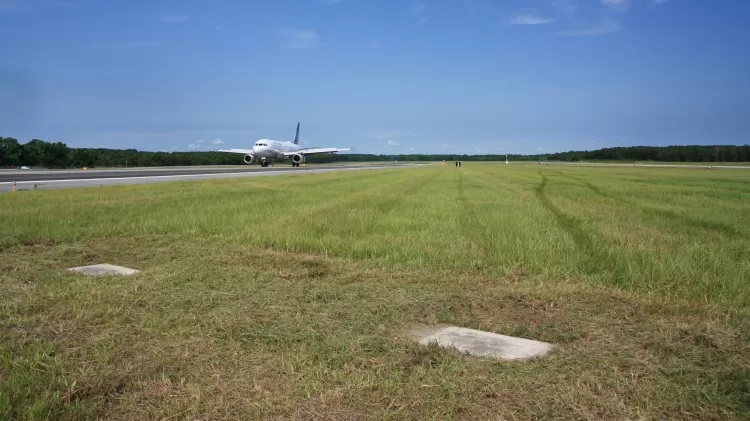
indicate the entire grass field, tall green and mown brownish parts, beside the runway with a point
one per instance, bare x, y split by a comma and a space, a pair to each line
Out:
290, 296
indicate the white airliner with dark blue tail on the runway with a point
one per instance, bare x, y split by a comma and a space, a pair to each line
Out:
268, 149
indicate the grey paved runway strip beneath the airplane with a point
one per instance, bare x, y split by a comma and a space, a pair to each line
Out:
58, 179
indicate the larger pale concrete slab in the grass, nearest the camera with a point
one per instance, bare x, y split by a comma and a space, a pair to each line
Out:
482, 344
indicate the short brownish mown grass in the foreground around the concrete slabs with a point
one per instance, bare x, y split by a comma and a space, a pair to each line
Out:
210, 330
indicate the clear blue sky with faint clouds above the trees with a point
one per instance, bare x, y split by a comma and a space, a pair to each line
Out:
448, 76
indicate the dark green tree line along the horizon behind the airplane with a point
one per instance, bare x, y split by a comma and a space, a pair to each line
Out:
39, 153
